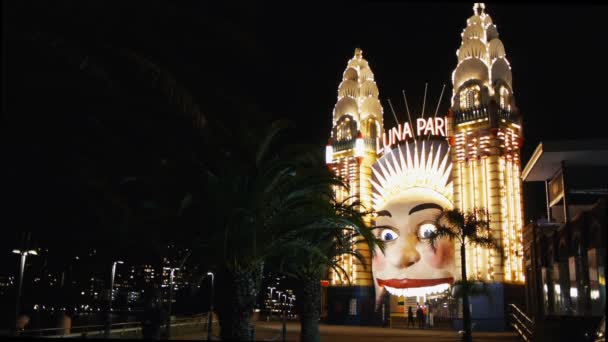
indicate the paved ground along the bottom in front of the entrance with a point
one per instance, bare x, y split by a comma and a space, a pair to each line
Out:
271, 331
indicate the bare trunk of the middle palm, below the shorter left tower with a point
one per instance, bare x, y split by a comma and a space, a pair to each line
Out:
309, 305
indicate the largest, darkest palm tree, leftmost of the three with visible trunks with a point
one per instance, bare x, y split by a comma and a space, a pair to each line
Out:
260, 198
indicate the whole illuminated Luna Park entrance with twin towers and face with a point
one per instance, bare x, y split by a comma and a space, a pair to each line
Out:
481, 169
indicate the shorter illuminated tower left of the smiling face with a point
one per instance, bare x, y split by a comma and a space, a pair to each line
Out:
351, 150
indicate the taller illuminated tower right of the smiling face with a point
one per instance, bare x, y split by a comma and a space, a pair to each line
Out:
486, 134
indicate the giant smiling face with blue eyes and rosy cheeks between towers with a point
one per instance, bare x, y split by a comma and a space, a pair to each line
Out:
409, 266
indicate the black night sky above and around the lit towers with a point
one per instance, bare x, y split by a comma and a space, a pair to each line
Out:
266, 59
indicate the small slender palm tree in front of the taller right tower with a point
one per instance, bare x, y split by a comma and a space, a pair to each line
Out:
468, 229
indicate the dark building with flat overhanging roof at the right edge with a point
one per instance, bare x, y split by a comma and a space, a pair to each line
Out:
565, 251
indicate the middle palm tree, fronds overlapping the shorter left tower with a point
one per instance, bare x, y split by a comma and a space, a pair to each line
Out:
330, 233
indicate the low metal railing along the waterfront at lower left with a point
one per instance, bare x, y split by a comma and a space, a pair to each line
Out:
123, 330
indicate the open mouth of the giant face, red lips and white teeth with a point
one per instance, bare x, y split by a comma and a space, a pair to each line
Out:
415, 287
